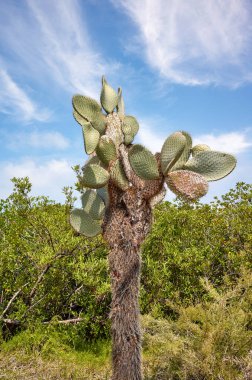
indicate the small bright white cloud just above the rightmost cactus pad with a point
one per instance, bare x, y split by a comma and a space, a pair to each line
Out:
233, 142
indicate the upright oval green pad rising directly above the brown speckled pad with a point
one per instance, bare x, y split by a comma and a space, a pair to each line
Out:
171, 151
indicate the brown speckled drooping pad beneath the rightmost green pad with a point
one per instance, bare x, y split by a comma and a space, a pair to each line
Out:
187, 184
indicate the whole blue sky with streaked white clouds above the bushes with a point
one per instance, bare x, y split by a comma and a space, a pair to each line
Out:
182, 65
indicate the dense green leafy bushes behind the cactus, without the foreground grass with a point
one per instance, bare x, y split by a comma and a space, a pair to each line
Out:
48, 272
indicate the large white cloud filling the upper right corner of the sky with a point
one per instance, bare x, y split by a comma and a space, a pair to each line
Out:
195, 42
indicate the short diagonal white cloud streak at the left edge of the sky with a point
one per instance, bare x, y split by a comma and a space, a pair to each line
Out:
15, 101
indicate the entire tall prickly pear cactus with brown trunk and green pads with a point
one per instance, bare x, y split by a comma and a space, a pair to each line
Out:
129, 181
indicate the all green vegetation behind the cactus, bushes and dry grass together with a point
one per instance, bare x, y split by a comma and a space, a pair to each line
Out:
195, 295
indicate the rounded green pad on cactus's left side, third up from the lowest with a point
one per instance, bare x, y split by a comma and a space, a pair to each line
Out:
94, 176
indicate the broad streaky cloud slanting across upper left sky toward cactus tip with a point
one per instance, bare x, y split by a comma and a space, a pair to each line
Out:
51, 41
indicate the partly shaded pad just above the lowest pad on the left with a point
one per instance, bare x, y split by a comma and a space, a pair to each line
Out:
93, 204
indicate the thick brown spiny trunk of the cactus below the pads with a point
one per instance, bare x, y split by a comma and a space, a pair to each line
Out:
126, 225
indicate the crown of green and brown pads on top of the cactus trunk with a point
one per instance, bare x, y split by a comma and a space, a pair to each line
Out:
116, 161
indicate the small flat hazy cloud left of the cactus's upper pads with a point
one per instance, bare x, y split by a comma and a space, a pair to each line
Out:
46, 140
